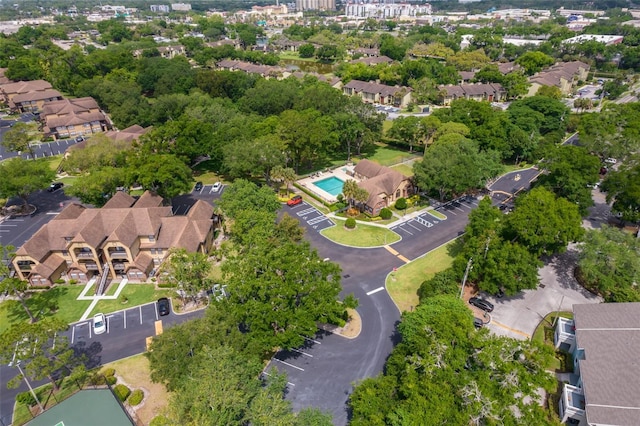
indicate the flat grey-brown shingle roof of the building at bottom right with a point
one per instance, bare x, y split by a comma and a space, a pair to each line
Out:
609, 333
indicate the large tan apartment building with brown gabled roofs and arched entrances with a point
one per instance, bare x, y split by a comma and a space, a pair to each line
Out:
128, 237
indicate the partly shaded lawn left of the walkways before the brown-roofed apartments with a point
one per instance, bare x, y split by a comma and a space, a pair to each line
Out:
42, 304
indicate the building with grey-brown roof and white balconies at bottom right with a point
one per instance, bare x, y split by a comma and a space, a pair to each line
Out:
604, 342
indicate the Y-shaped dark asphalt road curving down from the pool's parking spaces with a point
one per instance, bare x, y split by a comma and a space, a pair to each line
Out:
321, 373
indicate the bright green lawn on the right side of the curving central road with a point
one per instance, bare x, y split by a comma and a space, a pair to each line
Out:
403, 284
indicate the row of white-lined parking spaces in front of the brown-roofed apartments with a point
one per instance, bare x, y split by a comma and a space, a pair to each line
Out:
141, 317
